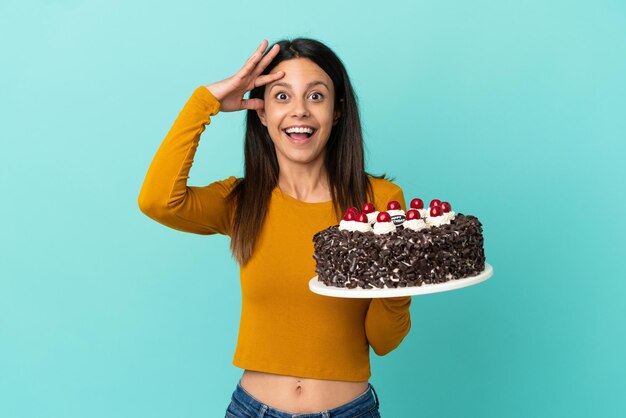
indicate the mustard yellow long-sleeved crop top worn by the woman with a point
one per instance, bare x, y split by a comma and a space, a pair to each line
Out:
284, 327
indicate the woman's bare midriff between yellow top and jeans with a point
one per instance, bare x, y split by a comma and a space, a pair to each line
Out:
298, 394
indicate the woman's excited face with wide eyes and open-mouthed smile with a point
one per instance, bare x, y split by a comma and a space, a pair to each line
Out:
299, 111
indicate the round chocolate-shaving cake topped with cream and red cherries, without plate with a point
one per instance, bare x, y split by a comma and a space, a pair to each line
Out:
393, 248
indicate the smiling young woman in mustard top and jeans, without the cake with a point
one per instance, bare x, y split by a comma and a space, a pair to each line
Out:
302, 353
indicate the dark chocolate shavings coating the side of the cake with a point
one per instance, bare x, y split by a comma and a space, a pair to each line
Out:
351, 259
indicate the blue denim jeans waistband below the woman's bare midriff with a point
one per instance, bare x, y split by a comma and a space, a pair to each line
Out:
244, 405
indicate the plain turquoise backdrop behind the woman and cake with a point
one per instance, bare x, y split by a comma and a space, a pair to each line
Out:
514, 111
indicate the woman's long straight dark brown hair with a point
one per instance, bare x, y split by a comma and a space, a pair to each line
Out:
344, 157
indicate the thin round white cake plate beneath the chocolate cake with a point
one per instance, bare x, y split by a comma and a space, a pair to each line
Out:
341, 292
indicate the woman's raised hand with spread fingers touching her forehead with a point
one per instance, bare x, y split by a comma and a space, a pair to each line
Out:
230, 91
